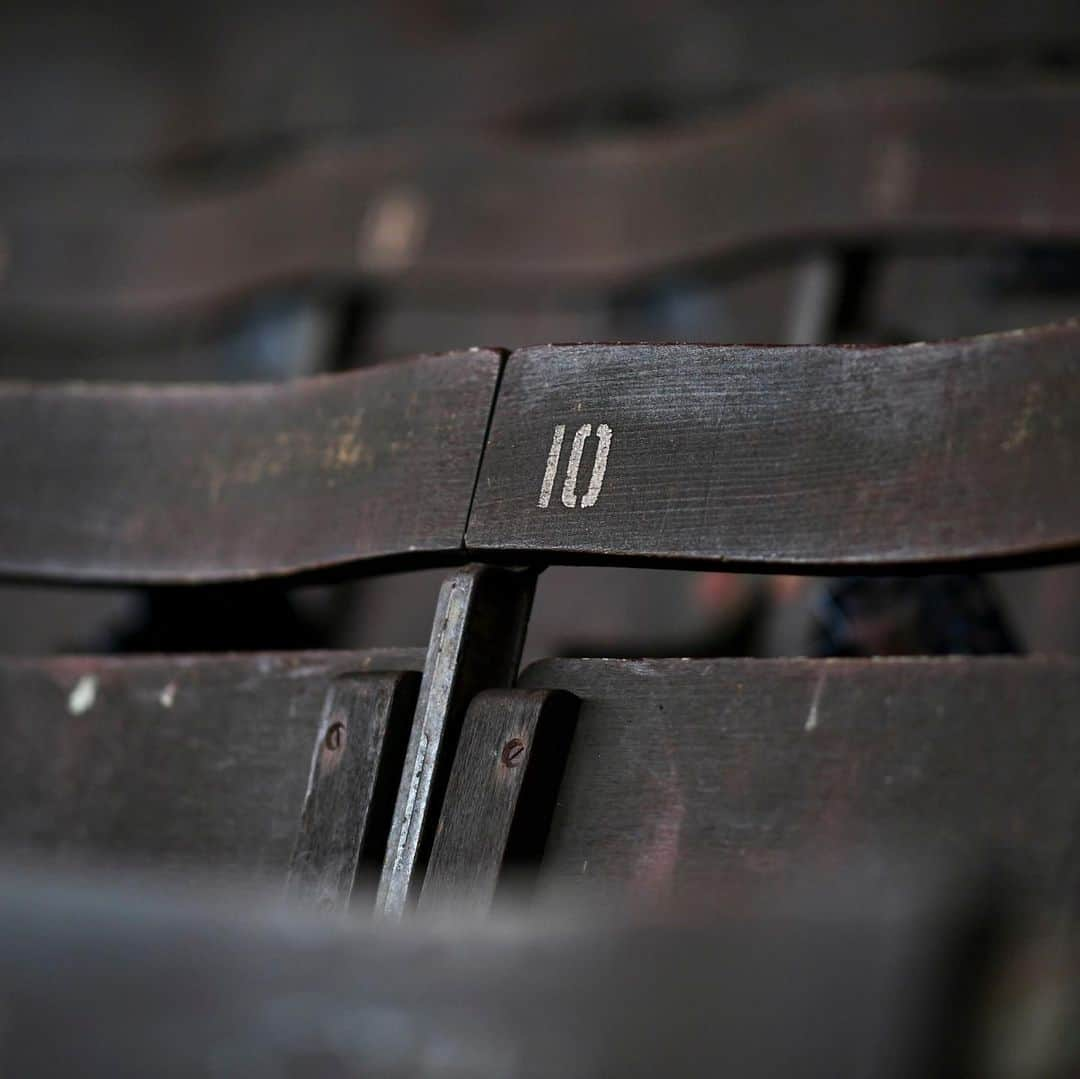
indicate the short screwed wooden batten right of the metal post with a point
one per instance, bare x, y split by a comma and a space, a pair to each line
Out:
501, 795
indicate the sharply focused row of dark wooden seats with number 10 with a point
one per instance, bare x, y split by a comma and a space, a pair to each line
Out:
436, 774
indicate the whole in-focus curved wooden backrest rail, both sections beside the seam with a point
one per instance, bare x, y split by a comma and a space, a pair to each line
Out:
818, 458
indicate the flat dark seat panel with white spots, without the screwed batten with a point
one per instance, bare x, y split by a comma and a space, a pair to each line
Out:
181, 762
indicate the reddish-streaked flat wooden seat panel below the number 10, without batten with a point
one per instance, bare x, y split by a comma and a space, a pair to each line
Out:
701, 776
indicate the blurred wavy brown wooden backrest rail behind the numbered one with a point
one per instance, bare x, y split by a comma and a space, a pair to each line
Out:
906, 159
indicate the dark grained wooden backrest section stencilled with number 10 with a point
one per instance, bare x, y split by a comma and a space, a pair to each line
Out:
798, 457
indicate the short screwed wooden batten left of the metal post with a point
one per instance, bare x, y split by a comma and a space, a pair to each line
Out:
356, 767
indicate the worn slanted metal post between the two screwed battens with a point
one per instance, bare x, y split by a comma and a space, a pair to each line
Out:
477, 641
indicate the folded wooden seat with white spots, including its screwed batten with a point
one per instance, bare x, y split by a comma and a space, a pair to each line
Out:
211, 764
